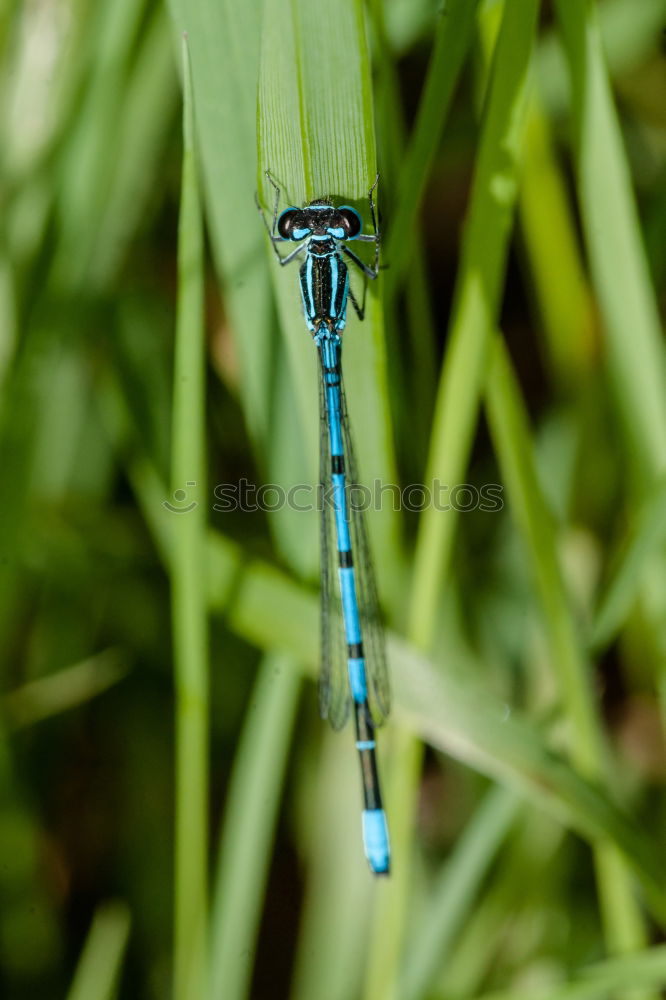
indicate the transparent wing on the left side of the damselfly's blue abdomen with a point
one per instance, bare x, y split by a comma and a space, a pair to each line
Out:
334, 693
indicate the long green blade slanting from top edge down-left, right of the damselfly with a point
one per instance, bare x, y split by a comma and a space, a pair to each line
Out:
487, 232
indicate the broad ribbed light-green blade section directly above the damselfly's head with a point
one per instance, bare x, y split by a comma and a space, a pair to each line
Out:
316, 132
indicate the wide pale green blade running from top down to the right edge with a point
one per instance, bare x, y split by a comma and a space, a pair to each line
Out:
614, 244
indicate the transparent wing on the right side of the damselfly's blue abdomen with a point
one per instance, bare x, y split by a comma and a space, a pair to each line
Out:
379, 689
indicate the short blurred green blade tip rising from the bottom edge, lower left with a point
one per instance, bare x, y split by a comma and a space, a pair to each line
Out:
98, 971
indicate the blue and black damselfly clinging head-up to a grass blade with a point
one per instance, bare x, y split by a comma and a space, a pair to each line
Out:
353, 667
